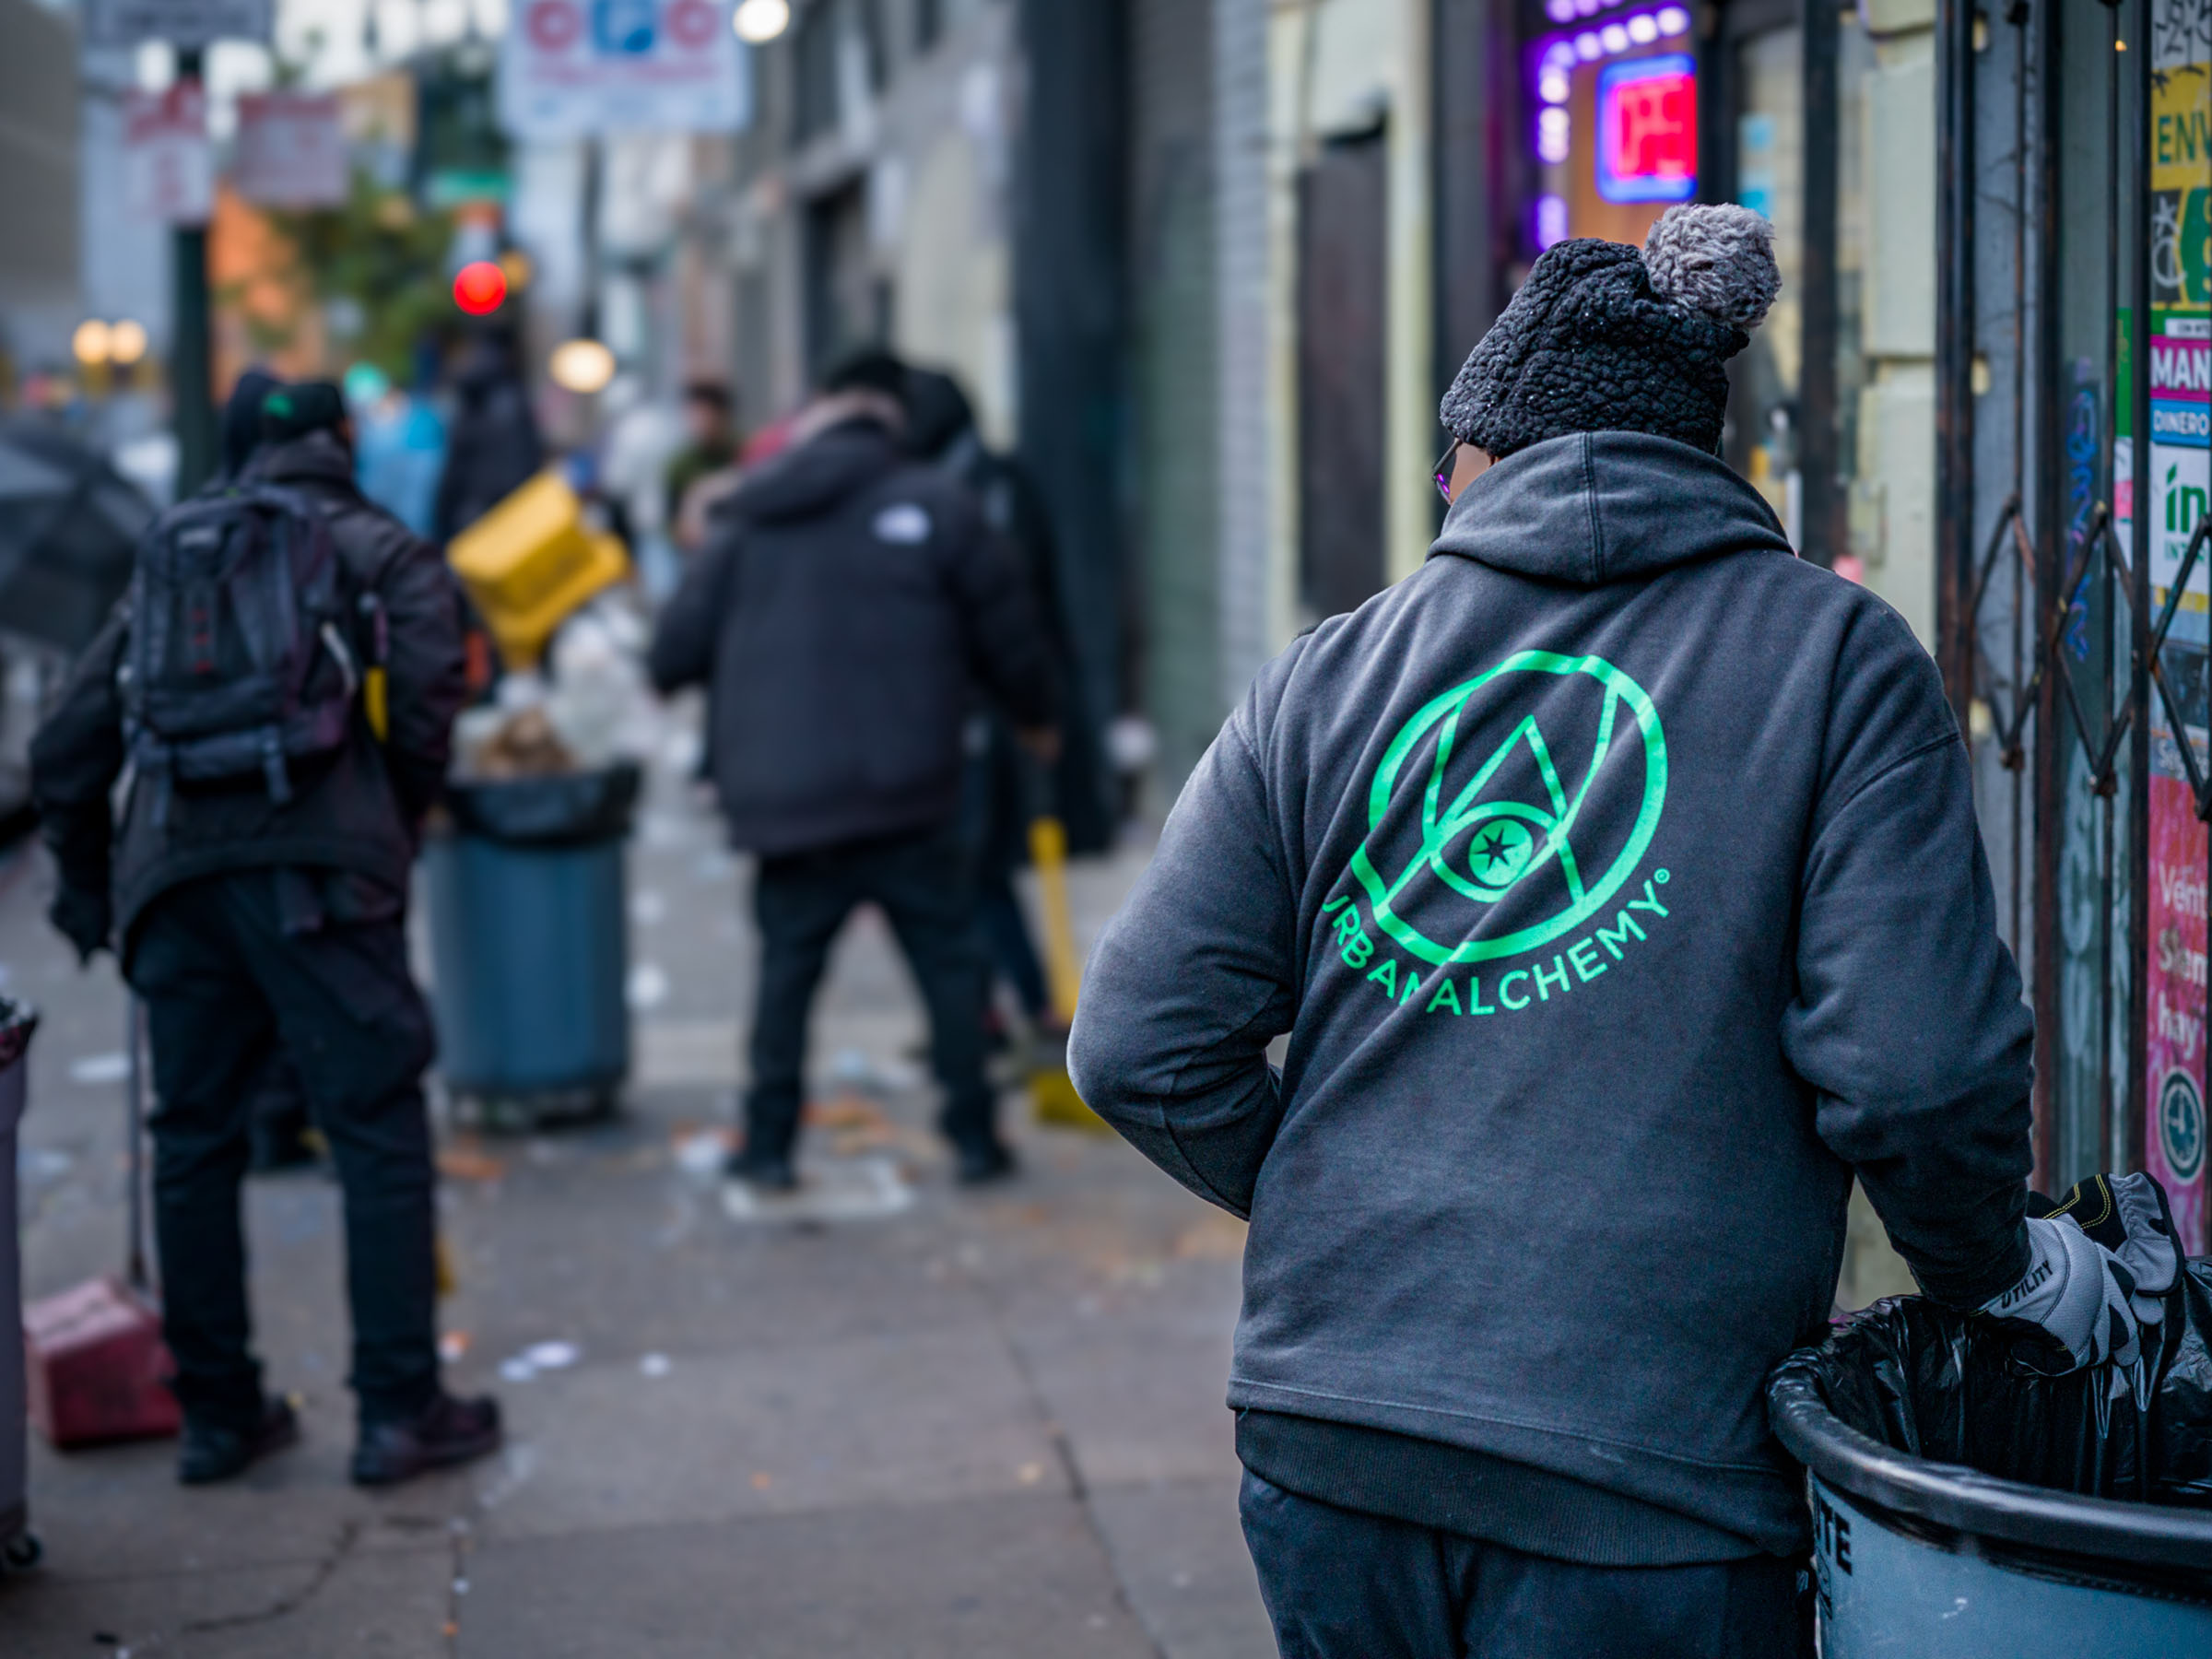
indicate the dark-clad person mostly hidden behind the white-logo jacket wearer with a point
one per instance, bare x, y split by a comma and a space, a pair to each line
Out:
1005, 786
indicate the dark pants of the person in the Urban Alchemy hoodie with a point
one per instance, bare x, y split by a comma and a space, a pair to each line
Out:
1342, 1585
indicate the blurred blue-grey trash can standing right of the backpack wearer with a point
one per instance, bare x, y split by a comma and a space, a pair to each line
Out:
530, 946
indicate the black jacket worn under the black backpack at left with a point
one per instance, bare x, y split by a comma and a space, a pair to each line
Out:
359, 811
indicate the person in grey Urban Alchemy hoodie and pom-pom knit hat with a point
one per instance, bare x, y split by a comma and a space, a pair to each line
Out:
1618, 886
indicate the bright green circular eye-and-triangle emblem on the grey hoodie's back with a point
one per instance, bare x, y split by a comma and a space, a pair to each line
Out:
1488, 842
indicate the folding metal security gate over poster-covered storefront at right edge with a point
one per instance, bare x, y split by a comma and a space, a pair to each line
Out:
2074, 348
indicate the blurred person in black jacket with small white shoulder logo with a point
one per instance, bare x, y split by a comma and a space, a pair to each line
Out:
837, 616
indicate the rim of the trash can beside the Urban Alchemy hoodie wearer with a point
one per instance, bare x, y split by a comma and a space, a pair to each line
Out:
1968, 1501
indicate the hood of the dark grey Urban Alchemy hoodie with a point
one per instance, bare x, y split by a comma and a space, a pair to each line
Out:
1600, 508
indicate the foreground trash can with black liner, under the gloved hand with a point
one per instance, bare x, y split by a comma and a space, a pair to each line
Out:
1921, 1554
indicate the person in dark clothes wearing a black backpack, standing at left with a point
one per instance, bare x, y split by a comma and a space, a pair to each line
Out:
280, 685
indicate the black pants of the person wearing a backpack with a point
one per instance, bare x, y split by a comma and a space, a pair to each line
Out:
233, 968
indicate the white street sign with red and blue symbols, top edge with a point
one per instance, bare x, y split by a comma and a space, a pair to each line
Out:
583, 67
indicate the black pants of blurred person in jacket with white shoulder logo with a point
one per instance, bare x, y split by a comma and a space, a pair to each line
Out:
802, 904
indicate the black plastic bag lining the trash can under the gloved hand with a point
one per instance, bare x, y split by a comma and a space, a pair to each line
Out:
1937, 1384
